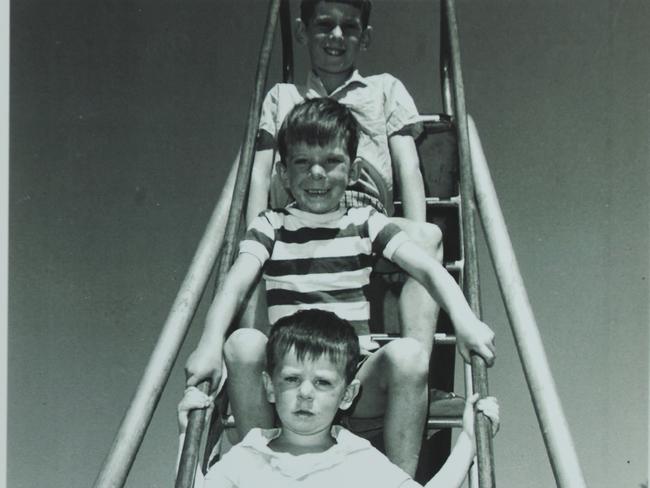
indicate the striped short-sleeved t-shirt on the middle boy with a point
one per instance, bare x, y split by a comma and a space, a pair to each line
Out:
320, 261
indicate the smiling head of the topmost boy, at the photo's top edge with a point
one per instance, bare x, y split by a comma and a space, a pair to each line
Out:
334, 36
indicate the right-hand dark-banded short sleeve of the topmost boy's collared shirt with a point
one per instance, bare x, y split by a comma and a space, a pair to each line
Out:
399, 109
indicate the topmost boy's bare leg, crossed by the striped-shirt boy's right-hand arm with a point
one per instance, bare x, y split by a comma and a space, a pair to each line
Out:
418, 312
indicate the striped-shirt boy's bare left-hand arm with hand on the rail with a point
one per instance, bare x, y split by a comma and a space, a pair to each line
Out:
205, 362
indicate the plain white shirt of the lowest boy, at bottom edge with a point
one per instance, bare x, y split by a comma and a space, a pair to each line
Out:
350, 463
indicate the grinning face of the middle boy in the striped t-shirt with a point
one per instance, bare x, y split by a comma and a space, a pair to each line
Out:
317, 176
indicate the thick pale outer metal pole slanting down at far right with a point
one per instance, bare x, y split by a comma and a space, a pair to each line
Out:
550, 416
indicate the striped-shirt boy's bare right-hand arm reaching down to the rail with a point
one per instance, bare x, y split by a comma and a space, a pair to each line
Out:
471, 333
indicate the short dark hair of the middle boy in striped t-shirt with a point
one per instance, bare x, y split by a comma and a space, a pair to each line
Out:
319, 121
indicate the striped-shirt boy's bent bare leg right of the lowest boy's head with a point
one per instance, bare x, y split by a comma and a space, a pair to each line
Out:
394, 384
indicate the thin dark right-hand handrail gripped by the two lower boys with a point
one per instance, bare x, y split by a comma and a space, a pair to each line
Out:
453, 86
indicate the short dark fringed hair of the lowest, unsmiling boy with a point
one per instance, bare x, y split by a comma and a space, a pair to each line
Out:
312, 334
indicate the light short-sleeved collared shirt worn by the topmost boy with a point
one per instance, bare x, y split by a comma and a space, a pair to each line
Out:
380, 103
